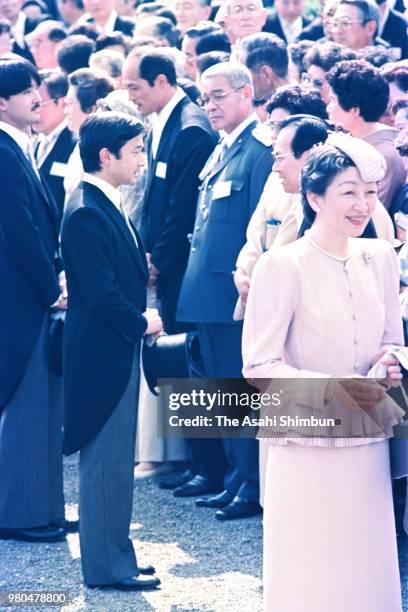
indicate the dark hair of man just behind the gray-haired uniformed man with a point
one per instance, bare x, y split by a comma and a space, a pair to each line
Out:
266, 49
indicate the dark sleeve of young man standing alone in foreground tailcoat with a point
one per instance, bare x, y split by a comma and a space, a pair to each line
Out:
88, 254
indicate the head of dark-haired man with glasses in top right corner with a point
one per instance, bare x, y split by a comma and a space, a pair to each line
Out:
355, 23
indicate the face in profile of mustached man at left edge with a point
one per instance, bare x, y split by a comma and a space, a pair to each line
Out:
23, 109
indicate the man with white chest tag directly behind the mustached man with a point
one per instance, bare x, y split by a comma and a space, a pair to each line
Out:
56, 141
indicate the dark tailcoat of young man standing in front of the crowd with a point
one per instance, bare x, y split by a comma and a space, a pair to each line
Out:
107, 278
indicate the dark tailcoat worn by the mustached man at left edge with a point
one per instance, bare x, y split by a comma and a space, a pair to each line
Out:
28, 244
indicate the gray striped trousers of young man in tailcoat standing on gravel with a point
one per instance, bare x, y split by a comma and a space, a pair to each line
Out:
106, 493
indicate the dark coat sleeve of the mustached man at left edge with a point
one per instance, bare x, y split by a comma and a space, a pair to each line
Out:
20, 233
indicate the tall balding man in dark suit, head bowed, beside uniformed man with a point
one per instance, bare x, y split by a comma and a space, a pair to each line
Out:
178, 147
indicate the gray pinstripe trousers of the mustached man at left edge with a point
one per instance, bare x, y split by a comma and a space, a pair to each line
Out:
31, 485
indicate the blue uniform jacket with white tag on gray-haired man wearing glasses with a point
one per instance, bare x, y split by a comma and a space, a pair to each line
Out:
229, 195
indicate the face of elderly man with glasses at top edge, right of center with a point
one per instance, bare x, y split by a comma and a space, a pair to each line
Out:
243, 17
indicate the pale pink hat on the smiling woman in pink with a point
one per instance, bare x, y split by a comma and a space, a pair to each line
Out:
370, 163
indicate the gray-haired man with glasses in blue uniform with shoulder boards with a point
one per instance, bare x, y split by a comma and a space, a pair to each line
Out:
233, 180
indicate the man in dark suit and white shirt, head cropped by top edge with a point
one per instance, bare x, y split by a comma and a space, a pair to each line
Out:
287, 20
